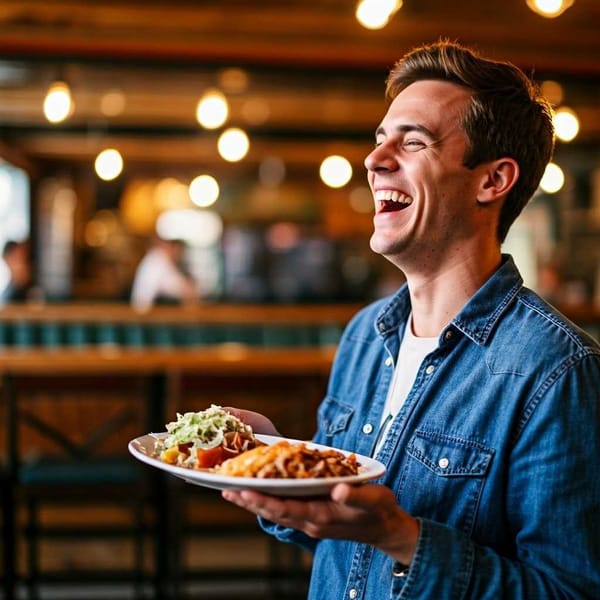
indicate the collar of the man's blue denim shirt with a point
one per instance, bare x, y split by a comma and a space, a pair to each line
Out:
479, 315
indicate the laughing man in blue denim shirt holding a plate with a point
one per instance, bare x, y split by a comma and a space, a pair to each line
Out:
480, 398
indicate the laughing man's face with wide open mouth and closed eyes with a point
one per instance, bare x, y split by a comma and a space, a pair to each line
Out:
425, 199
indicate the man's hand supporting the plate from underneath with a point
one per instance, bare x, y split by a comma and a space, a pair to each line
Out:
366, 513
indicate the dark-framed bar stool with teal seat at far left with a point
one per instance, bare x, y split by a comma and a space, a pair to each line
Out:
67, 438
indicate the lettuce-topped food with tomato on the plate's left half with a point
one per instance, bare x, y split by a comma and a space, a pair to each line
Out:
202, 440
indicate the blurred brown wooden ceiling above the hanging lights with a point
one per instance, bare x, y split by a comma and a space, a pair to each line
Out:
315, 77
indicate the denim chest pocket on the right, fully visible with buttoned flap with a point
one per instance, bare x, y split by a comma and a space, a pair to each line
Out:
444, 478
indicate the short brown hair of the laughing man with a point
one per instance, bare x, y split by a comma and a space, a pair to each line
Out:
506, 115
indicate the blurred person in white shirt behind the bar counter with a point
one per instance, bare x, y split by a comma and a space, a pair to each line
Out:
160, 278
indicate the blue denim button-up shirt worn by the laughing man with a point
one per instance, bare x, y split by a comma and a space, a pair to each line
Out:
496, 451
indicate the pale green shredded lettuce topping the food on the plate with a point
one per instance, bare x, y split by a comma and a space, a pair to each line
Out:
204, 429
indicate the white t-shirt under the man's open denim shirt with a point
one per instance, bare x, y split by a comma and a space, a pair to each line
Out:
412, 352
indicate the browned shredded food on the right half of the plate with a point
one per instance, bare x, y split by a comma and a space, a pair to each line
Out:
287, 460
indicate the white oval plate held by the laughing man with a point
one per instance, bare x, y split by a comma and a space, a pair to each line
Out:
142, 448
